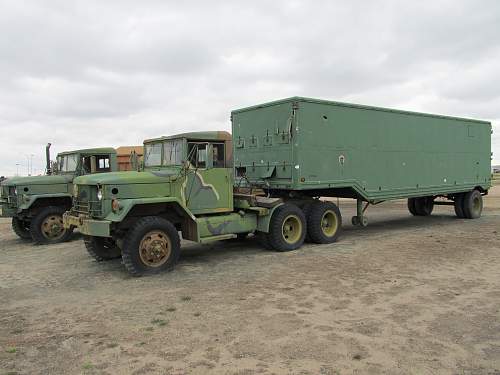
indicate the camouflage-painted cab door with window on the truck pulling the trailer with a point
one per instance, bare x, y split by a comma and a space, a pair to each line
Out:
209, 184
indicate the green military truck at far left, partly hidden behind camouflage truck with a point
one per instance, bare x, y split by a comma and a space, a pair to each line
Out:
36, 203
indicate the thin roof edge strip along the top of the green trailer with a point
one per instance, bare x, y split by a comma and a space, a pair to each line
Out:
359, 106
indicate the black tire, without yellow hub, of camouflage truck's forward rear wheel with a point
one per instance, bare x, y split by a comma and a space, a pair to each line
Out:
275, 234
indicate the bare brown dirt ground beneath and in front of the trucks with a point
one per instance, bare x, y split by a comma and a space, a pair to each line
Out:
406, 295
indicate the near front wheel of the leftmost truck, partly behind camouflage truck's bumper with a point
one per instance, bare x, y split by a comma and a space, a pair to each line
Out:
47, 226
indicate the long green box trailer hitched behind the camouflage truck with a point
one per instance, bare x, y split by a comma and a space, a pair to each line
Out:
301, 147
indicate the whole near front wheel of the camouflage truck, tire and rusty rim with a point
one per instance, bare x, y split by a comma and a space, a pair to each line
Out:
151, 246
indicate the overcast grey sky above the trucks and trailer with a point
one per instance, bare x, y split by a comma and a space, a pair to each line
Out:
97, 73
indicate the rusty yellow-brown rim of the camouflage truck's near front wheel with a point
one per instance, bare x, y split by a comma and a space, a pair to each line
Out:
155, 248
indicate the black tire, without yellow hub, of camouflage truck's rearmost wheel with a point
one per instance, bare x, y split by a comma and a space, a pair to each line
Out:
314, 222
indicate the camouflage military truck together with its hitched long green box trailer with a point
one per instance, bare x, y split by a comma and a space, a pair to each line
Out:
287, 154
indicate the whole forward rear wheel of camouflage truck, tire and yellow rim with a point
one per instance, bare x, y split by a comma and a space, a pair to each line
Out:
287, 229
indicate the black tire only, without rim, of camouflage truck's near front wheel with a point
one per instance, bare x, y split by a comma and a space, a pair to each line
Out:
130, 252
